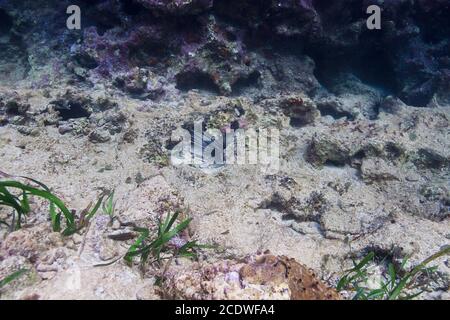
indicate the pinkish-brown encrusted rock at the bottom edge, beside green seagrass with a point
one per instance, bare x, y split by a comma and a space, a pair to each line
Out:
259, 277
